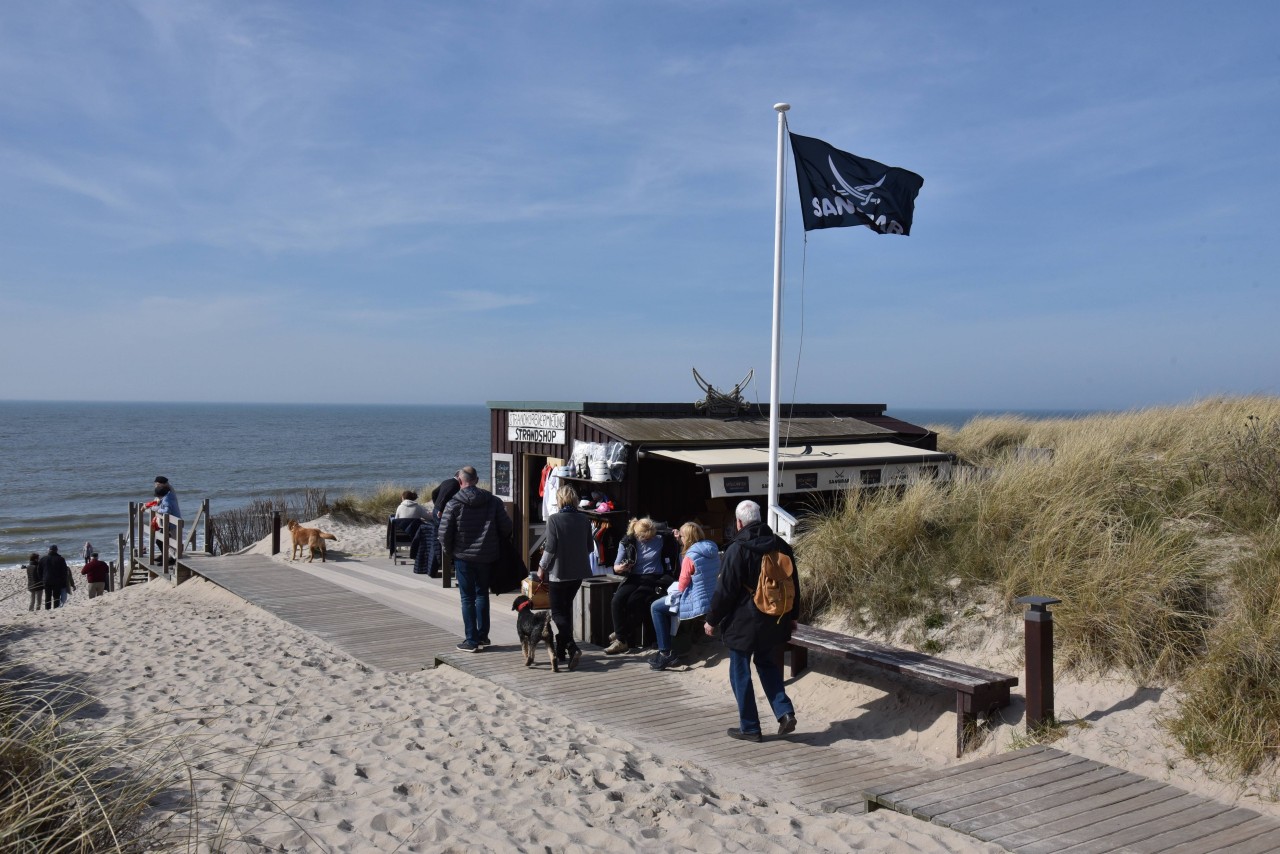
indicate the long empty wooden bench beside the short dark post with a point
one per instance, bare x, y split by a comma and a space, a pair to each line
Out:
979, 692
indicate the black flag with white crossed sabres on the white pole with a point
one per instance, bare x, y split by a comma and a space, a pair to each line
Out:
839, 189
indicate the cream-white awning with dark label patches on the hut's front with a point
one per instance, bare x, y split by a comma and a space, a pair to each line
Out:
820, 468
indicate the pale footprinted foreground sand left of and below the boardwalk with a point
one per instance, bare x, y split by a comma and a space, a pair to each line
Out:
305, 750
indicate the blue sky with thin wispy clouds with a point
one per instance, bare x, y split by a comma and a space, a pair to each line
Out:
465, 202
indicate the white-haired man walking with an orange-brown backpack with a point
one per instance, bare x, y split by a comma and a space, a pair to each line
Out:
756, 606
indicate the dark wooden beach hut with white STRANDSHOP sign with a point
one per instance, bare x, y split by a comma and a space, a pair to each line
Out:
676, 463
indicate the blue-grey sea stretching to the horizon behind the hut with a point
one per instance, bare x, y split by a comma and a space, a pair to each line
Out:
70, 471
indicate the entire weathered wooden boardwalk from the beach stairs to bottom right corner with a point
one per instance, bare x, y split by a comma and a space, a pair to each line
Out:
1032, 801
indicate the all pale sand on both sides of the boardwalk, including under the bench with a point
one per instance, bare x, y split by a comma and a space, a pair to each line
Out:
316, 752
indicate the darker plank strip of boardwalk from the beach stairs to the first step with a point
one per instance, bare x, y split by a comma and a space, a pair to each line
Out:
372, 633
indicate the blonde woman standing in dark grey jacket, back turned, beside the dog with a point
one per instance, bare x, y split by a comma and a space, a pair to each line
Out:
565, 563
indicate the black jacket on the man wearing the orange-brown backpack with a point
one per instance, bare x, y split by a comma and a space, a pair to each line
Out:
743, 627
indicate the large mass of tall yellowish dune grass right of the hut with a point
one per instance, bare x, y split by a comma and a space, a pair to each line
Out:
1155, 528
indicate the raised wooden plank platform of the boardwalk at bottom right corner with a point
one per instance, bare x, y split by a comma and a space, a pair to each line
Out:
1041, 801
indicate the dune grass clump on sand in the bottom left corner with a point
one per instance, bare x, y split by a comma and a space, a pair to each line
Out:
72, 786
